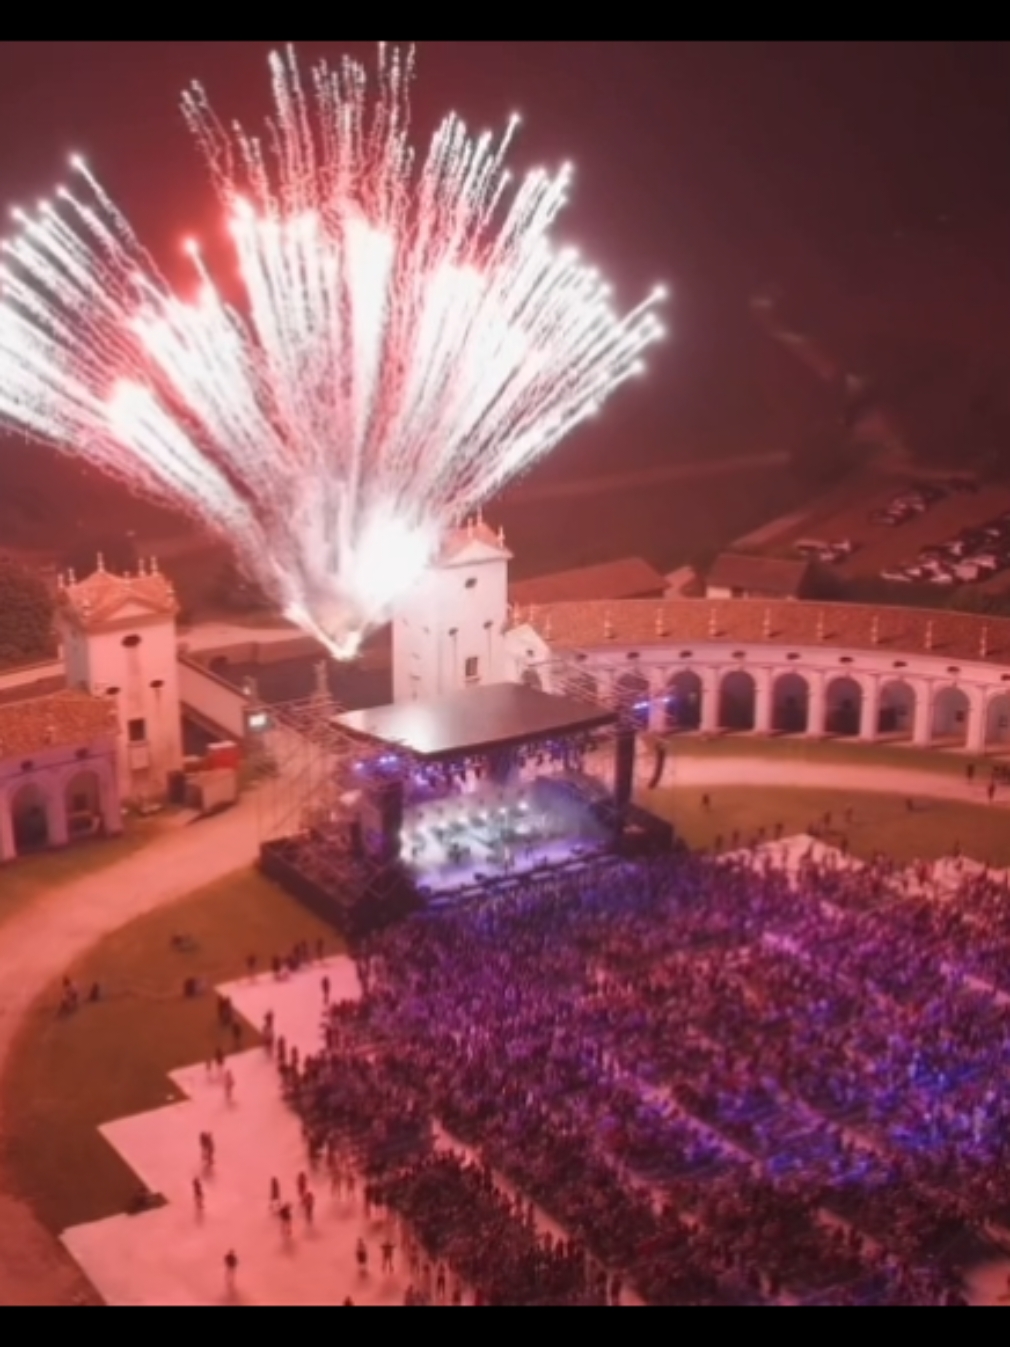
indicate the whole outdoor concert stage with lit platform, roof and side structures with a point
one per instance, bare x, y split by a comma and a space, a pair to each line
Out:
432, 802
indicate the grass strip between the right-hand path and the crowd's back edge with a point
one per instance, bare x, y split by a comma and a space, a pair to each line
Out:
881, 822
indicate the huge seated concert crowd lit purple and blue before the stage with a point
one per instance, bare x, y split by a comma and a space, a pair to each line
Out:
724, 1082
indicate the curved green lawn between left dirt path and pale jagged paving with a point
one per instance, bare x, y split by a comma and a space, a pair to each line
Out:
69, 1077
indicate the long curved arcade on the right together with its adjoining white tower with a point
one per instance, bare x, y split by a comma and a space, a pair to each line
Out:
736, 666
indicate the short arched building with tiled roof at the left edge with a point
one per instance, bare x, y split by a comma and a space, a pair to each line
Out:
59, 773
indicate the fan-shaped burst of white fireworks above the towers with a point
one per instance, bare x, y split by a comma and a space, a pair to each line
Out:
410, 340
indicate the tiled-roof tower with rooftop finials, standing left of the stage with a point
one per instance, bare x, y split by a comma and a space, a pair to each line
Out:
119, 642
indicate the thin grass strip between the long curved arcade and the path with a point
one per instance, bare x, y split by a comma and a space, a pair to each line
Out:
842, 752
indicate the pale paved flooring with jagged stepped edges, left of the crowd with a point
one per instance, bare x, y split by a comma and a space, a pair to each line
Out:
174, 1256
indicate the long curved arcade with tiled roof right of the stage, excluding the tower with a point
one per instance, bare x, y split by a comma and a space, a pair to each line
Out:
791, 669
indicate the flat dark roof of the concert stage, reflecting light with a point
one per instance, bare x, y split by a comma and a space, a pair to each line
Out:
480, 720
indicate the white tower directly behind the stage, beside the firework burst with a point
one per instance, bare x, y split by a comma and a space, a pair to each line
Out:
449, 632
